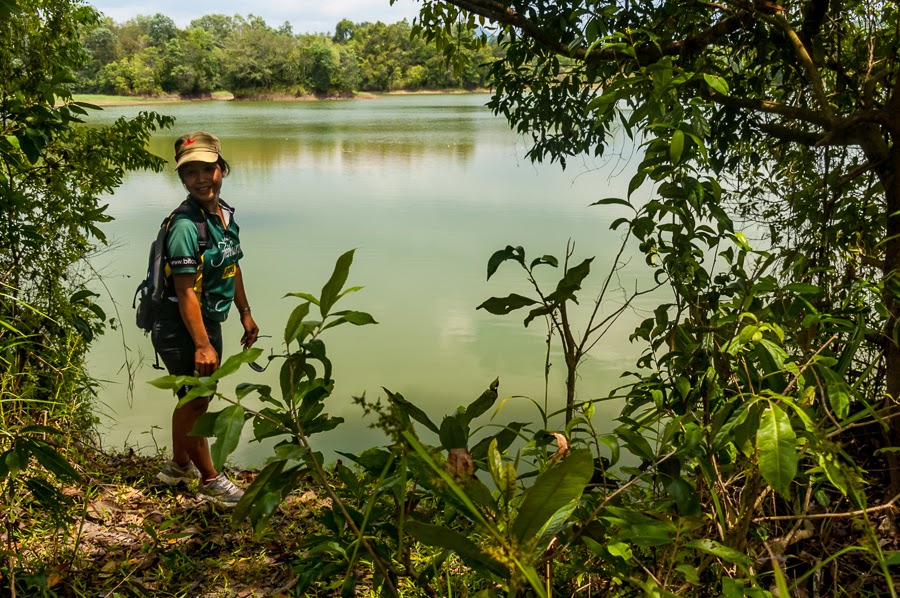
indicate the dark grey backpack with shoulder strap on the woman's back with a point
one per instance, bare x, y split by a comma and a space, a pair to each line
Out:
151, 293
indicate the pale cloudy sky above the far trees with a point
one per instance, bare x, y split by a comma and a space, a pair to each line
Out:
306, 16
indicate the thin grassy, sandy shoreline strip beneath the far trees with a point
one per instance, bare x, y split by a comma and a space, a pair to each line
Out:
111, 100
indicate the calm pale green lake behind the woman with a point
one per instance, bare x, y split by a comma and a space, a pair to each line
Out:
425, 188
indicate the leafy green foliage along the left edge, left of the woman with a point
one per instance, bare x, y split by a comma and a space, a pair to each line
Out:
52, 175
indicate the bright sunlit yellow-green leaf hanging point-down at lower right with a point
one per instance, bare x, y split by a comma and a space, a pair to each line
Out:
776, 444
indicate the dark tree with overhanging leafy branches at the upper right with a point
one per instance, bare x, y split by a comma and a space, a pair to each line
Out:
795, 109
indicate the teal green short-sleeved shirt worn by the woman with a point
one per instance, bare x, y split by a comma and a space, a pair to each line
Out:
214, 283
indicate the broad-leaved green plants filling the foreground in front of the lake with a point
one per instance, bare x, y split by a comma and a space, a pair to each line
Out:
715, 480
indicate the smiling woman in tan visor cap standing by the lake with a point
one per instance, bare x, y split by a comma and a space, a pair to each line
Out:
201, 289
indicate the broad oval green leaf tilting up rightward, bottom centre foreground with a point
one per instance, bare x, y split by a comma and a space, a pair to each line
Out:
555, 488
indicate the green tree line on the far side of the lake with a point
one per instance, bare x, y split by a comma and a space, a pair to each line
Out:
150, 55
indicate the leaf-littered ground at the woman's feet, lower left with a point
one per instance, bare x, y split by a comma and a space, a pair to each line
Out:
132, 535
